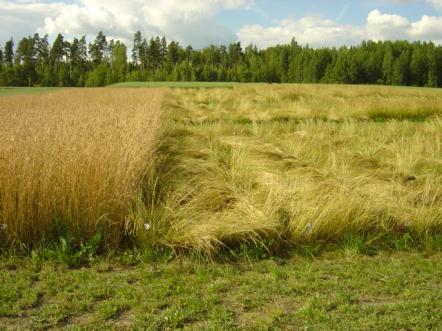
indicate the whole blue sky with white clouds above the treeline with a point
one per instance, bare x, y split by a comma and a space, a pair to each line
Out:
204, 22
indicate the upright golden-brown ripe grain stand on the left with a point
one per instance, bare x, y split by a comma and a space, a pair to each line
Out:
76, 162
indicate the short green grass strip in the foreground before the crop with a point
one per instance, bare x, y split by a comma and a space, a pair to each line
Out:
338, 290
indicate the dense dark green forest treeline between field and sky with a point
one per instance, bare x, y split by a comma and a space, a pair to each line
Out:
35, 62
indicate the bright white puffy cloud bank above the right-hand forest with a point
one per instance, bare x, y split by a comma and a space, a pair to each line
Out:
318, 31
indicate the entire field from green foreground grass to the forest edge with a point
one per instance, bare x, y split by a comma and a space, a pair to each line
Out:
247, 207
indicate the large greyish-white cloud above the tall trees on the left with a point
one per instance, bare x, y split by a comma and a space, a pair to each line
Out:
183, 20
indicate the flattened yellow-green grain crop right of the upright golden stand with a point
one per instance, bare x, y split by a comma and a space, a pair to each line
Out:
301, 164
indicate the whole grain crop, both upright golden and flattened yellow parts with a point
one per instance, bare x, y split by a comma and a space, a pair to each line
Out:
209, 168
